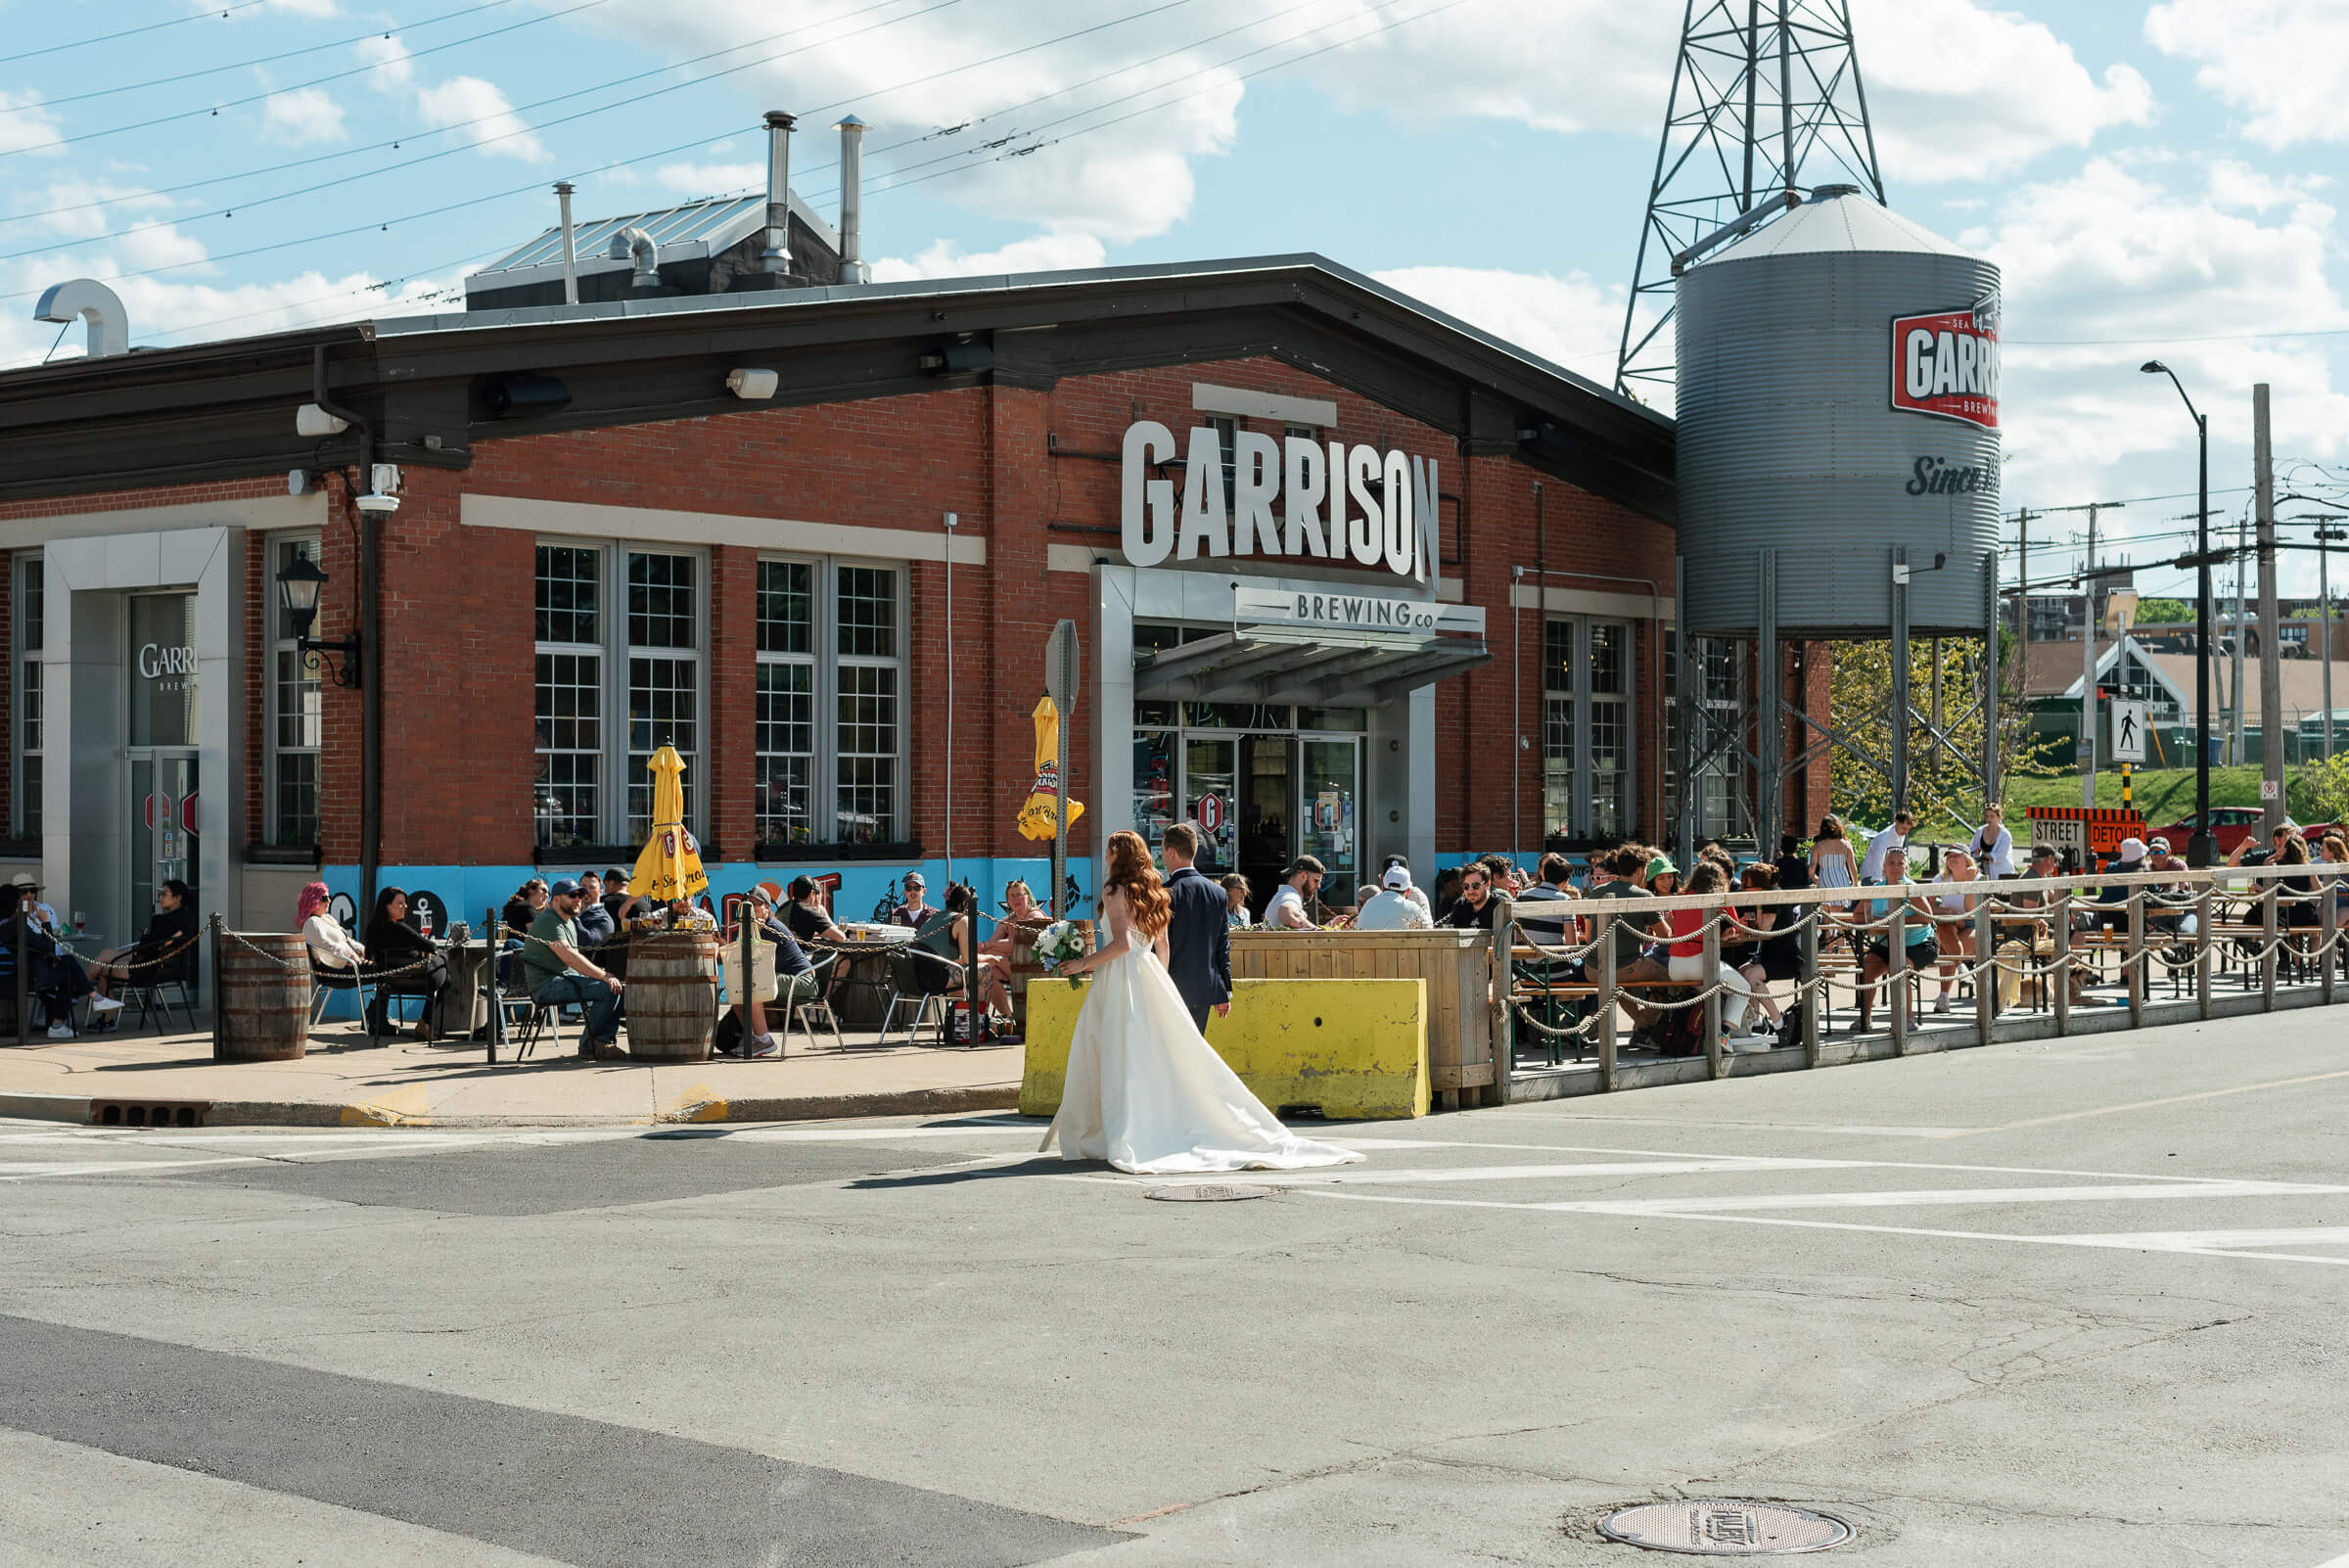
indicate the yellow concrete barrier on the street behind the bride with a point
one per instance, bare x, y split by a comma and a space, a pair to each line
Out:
1357, 1048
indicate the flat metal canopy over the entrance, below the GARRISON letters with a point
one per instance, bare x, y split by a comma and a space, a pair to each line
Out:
1307, 668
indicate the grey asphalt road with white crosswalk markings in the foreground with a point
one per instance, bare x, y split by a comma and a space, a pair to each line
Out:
2024, 1306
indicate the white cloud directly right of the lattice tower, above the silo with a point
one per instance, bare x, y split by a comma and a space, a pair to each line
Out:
1958, 90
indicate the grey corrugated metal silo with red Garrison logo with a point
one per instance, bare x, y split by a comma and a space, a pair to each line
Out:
1838, 398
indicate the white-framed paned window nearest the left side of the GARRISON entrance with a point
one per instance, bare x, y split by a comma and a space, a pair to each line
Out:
830, 726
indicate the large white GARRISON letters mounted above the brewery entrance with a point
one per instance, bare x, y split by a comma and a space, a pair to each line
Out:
1288, 499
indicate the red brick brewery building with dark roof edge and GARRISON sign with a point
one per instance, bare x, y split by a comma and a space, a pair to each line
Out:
816, 539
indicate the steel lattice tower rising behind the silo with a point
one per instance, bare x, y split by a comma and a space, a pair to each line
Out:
1765, 93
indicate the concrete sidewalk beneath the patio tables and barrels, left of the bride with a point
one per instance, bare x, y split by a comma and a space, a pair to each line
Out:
405, 1083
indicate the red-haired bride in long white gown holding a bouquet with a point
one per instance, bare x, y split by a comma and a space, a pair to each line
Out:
1145, 1090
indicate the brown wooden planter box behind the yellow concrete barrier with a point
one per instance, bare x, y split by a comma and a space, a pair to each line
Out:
1455, 966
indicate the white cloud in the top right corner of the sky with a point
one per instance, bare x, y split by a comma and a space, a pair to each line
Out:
2282, 62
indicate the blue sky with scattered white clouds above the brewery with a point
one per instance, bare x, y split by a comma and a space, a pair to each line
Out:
2153, 177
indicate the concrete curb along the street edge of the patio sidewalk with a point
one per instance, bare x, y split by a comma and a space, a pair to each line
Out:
74, 1109
